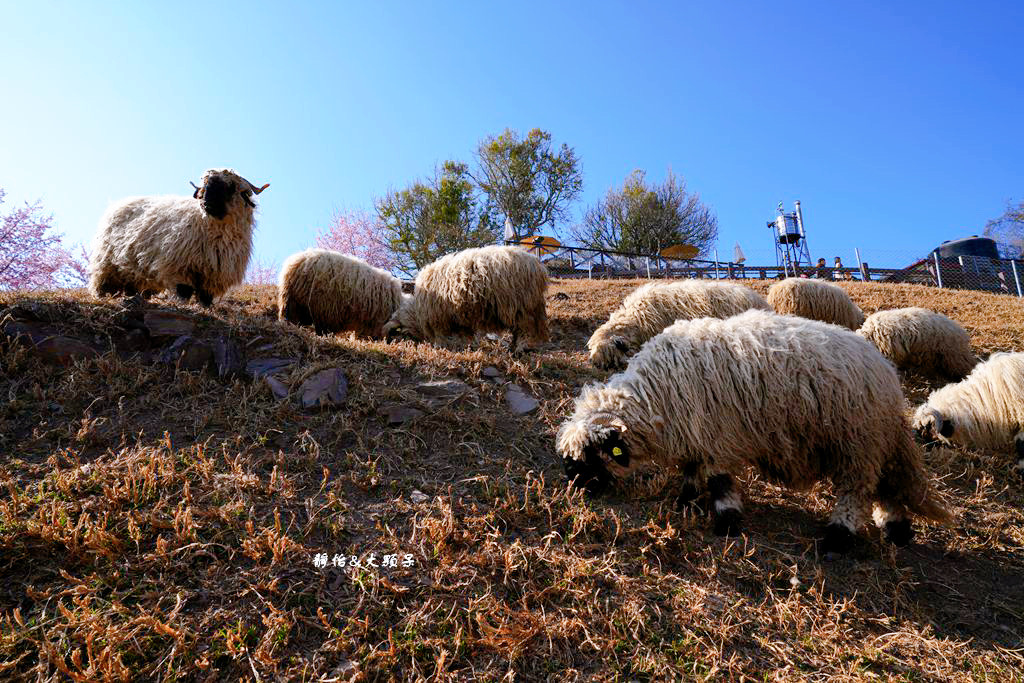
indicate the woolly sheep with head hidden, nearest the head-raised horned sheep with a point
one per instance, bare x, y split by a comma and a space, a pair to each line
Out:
335, 292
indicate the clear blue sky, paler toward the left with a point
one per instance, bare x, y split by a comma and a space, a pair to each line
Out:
898, 125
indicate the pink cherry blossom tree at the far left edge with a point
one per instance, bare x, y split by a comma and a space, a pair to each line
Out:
32, 255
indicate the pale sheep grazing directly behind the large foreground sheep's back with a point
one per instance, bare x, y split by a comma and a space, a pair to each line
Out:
651, 309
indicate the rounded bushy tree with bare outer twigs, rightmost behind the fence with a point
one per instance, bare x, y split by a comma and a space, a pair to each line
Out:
644, 219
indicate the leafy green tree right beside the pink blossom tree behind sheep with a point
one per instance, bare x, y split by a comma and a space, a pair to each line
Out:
430, 220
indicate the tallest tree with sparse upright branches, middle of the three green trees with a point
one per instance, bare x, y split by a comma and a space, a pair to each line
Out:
526, 181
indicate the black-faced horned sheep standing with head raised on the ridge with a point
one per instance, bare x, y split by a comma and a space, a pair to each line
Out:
199, 245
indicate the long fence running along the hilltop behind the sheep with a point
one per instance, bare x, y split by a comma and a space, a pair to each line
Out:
1001, 276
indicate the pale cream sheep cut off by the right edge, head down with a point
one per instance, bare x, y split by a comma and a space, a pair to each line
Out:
985, 411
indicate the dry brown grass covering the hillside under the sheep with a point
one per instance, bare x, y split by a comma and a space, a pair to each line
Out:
160, 525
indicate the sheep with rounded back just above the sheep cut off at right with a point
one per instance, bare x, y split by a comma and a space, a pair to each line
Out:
922, 339
